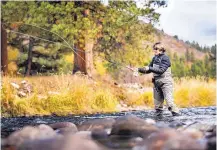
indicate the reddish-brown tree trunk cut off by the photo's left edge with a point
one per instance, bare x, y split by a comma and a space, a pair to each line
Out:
4, 52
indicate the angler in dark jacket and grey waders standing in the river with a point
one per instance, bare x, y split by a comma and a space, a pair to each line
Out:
162, 79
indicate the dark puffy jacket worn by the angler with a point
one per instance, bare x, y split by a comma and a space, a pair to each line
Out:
162, 60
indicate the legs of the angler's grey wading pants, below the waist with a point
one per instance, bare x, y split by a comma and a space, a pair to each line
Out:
163, 90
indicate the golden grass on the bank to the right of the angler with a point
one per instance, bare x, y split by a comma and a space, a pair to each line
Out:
195, 92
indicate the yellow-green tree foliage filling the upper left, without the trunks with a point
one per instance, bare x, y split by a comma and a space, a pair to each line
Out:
116, 28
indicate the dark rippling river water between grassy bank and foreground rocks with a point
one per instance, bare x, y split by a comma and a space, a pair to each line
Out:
202, 115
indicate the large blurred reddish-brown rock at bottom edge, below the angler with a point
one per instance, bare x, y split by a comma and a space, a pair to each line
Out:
170, 139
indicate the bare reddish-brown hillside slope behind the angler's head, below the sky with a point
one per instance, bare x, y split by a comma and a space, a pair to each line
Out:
174, 45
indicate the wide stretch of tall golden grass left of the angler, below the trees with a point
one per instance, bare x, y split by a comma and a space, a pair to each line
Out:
71, 95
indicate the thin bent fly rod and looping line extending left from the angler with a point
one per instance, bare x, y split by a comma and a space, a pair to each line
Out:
68, 45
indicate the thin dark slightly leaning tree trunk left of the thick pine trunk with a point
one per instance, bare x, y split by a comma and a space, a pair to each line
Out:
29, 61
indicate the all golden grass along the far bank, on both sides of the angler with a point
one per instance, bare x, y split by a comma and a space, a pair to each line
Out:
67, 94
